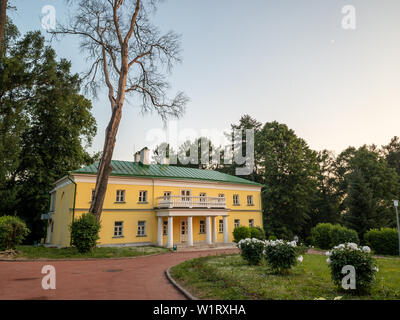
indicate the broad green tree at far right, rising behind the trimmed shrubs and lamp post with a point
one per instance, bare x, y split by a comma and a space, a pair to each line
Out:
367, 185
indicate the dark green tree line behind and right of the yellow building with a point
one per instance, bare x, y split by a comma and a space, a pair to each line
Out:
303, 187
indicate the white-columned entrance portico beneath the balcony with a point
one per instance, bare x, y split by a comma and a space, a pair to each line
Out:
185, 218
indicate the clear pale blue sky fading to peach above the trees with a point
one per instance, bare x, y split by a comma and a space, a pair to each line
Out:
284, 60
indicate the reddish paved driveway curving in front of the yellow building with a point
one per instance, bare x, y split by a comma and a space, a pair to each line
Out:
140, 278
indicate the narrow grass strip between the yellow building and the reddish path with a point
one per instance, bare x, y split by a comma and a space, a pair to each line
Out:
32, 252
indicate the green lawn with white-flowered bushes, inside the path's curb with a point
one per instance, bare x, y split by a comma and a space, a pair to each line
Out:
230, 278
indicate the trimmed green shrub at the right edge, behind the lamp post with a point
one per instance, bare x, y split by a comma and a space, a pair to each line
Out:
383, 241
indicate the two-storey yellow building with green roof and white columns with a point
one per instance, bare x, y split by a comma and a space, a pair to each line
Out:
156, 204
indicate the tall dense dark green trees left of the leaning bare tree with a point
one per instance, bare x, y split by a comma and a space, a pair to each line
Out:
46, 126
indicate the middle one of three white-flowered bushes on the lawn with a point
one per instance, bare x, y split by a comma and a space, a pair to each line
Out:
281, 255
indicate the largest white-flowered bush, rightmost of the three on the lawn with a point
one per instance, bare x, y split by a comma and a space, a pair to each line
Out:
352, 255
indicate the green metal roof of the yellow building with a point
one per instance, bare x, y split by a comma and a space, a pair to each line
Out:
132, 169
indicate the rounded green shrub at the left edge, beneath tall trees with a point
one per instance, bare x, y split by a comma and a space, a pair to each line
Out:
12, 232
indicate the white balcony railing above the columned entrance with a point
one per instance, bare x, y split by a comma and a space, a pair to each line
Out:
191, 202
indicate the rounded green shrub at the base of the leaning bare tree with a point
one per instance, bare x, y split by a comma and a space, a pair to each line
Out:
85, 232
